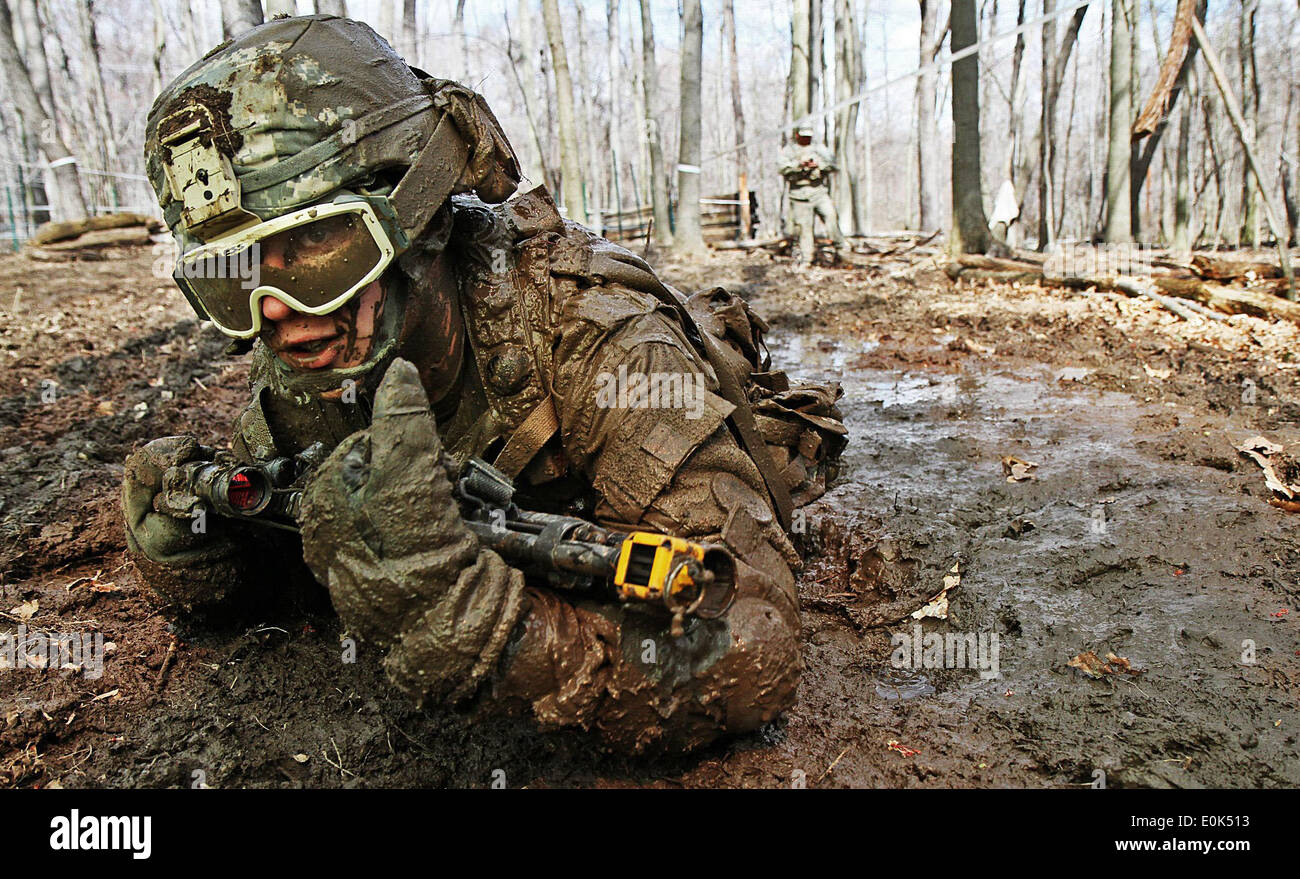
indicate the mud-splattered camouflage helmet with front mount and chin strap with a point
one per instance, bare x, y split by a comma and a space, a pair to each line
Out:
300, 110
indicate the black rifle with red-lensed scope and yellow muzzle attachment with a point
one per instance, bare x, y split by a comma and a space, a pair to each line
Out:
639, 568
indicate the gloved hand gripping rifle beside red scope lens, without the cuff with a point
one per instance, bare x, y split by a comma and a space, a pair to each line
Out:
162, 538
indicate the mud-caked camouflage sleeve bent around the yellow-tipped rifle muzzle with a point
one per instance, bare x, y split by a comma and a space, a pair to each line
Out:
675, 469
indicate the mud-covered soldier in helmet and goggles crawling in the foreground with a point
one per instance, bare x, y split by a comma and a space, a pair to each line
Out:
410, 315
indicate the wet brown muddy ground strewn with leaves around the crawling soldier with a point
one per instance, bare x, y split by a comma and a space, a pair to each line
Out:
1143, 535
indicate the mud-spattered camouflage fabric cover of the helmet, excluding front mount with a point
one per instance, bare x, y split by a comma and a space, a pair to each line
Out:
304, 107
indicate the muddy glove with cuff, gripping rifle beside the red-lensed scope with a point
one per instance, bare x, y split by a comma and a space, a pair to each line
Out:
189, 561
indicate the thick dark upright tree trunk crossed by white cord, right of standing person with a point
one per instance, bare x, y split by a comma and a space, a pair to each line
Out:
970, 224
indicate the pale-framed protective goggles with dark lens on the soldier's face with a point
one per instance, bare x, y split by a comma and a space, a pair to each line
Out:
314, 261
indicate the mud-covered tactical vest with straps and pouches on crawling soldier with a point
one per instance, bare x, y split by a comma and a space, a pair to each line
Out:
508, 258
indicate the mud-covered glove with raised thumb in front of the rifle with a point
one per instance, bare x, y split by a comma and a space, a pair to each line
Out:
383, 531
